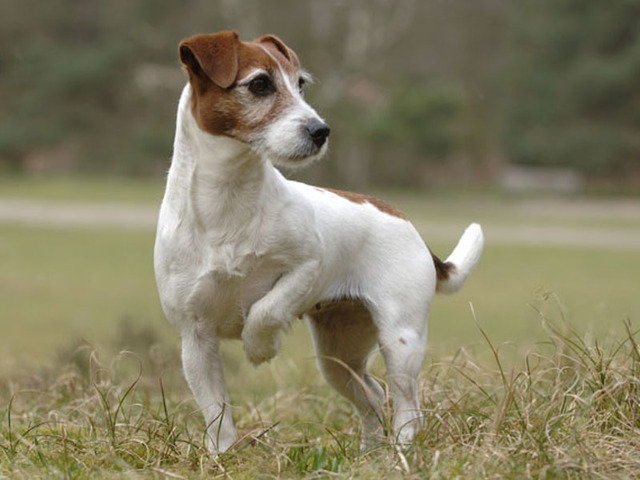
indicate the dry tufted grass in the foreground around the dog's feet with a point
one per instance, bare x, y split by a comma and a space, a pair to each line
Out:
569, 408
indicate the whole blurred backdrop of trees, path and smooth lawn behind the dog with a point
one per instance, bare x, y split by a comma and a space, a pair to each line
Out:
522, 115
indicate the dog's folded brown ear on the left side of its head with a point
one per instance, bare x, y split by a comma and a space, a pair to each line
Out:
214, 56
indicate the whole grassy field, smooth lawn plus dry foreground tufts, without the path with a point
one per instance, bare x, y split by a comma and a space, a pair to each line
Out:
80, 320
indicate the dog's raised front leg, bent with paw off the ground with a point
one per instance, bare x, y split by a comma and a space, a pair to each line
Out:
276, 310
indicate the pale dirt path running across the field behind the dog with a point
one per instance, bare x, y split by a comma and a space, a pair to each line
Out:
135, 217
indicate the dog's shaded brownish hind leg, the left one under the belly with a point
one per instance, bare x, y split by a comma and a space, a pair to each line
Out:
343, 337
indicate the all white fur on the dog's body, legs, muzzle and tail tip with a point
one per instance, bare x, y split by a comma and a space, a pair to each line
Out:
241, 252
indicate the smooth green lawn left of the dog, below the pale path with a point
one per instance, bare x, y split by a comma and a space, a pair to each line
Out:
61, 284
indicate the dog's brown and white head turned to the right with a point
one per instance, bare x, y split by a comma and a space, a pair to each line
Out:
252, 91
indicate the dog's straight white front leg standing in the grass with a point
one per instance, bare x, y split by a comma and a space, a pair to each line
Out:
203, 370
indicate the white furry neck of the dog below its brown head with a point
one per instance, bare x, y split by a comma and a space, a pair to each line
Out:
219, 179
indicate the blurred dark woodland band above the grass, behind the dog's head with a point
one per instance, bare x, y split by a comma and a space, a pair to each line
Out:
419, 93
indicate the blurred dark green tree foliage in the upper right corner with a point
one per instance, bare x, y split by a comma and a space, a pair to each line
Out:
572, 85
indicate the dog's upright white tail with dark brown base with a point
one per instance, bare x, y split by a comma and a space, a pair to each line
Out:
456, 268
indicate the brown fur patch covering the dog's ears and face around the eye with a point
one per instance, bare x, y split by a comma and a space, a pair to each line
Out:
216, 62
